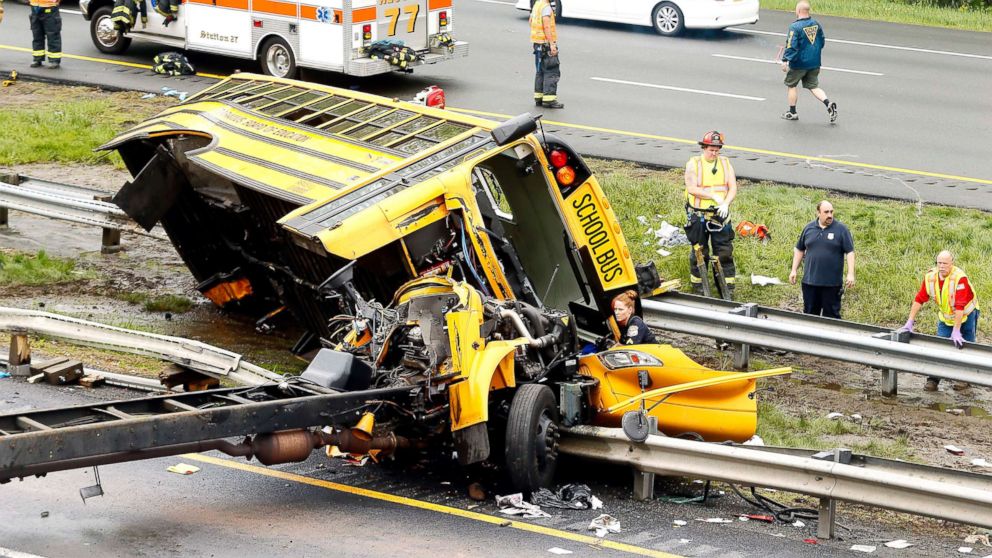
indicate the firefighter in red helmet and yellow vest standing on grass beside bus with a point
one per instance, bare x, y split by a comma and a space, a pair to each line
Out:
710, 188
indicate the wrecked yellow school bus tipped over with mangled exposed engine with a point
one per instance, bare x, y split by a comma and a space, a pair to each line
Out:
442, 264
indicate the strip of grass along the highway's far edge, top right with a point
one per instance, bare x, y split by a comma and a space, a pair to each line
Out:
895, 11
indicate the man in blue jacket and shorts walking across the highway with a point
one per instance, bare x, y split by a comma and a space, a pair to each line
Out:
801, 61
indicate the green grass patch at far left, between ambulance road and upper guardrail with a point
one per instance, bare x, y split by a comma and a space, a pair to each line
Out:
46, 124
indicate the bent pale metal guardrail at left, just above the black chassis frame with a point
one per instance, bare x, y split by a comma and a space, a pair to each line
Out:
195, 355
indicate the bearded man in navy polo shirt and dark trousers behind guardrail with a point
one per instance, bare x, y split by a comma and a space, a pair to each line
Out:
824, 244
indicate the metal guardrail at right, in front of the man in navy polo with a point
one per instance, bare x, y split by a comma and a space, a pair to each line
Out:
750, 324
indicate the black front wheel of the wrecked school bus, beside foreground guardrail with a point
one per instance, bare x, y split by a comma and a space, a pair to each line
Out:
532, 438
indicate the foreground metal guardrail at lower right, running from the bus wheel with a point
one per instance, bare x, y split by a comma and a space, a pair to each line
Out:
895, 485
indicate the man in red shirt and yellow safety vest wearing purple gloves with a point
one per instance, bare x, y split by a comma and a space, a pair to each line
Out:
958, 311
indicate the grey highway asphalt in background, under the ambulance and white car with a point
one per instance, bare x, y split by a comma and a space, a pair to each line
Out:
915, 117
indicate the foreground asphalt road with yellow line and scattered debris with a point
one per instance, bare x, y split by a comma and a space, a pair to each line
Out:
322, 508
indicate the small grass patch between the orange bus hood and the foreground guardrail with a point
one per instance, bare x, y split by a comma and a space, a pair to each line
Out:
778, 428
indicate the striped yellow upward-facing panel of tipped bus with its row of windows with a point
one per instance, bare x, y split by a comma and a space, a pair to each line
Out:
305, 143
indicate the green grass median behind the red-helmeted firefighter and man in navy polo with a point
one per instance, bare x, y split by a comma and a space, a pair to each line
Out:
894, 246
